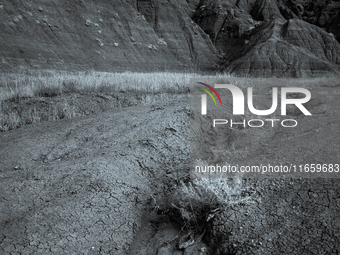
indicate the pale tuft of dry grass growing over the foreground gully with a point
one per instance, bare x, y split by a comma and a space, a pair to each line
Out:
197, 201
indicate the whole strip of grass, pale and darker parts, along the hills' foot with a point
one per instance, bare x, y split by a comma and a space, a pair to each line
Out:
33, 96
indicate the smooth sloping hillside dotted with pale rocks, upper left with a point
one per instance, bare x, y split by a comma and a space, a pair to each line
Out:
102, 35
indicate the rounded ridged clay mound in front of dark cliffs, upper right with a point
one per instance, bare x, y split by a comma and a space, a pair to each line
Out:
289, 48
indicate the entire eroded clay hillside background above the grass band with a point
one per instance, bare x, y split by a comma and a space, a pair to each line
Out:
244, 37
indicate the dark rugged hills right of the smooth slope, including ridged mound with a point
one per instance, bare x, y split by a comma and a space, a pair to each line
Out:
272, 38
